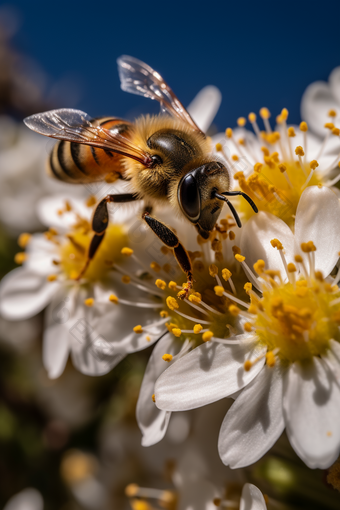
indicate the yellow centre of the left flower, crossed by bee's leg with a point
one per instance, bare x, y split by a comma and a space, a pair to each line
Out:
74, 251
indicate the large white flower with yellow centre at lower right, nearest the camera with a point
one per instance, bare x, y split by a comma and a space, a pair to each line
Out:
287, 362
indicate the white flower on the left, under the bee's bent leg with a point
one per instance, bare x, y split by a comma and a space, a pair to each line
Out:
82, 317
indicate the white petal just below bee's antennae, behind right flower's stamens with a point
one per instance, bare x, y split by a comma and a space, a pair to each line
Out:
256, 236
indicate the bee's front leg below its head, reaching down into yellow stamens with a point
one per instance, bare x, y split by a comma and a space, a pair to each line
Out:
169, 238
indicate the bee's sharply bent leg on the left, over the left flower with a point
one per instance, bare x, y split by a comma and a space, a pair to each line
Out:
100, 223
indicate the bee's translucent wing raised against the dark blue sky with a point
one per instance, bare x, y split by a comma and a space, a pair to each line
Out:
137, 77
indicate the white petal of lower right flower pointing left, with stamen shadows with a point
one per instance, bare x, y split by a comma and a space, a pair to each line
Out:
206, 374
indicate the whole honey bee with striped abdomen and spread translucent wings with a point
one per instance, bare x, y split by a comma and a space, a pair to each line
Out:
165, 158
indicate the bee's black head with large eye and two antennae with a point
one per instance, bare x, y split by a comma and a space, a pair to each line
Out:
201, 193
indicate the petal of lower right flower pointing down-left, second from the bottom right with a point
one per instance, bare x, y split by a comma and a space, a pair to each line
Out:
254, 422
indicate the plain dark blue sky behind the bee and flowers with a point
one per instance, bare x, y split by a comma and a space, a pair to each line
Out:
257, 53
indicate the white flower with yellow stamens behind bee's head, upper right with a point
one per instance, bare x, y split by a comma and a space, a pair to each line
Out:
275, 167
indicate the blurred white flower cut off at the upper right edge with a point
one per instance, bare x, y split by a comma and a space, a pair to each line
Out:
320, 102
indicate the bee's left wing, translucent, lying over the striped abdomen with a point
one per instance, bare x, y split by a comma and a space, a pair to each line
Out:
76, 126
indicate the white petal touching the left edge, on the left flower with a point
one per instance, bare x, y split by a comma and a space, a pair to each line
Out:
23, 294
